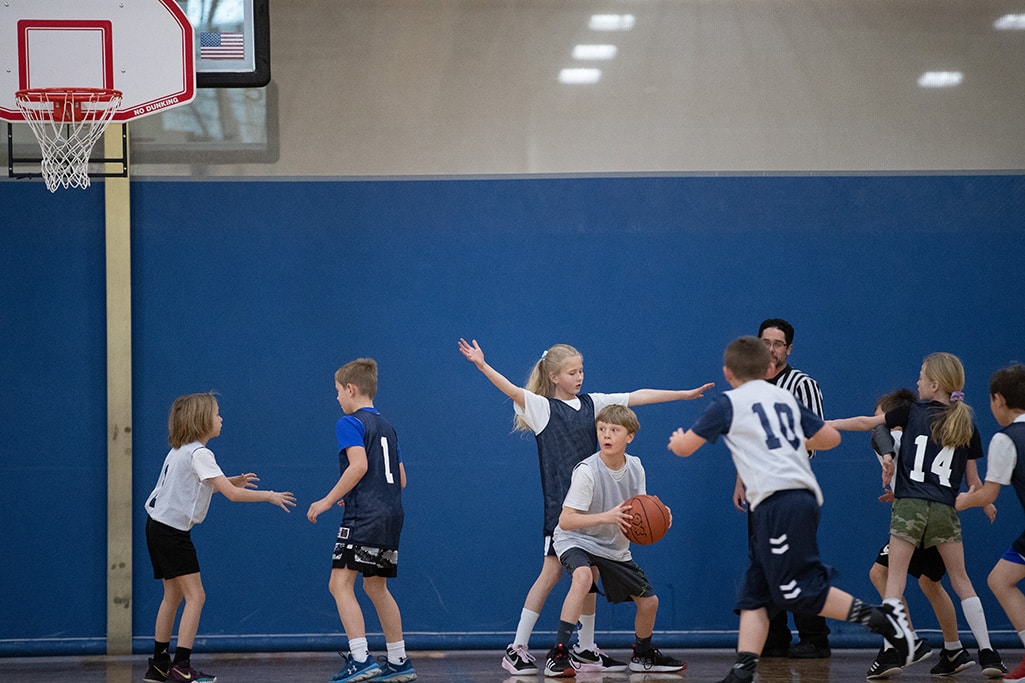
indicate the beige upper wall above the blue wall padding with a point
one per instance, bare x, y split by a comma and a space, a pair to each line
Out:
428, 88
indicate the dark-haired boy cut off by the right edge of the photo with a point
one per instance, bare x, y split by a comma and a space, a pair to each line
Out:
1007, 466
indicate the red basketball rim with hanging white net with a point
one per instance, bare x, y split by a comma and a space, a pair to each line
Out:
68, 123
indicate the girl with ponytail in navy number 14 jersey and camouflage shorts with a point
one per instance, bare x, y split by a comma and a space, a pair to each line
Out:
939, 440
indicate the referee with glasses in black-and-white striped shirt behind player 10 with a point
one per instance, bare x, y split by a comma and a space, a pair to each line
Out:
812, 629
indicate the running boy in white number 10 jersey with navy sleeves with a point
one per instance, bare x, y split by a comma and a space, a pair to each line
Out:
769, 433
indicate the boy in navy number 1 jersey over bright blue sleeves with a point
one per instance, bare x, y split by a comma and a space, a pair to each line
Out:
371, 490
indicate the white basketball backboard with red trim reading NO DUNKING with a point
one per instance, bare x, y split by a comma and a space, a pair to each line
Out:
144, 49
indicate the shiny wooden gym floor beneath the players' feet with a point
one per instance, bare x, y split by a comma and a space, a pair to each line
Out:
462, 667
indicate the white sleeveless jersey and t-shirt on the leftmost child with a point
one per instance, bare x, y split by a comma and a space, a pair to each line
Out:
183, 495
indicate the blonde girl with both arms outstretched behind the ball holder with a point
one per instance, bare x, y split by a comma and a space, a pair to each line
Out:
562, 420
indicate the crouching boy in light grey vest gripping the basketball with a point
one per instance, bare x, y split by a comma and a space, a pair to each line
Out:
590, 541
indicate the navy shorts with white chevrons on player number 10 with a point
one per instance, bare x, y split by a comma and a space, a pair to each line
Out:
786, 572
